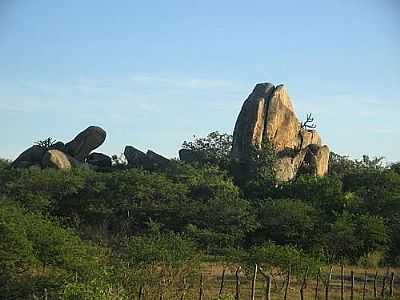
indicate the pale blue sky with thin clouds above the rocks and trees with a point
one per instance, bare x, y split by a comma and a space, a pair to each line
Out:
153, 73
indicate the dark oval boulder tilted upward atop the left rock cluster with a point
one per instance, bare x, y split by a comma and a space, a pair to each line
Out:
85, 142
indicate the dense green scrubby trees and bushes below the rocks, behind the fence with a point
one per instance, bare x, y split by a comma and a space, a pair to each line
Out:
101, 235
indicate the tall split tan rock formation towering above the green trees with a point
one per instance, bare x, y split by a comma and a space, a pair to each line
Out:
268, 115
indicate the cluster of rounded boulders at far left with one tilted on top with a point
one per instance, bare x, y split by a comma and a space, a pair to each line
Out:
66, 156
